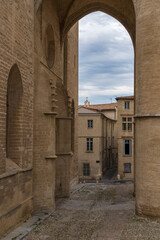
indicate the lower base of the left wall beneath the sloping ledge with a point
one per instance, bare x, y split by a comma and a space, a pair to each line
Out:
16, 201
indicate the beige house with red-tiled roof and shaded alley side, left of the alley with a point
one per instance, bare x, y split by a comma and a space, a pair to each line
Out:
97, 142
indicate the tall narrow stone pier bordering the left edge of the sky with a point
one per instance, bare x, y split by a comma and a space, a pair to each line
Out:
72, 88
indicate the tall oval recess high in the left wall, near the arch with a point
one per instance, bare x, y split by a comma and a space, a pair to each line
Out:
49, 46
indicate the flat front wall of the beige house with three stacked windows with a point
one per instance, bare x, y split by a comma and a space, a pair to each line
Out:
92, 157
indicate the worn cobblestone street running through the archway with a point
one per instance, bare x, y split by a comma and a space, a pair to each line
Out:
97, 212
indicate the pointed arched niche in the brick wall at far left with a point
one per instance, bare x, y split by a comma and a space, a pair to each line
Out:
14, 117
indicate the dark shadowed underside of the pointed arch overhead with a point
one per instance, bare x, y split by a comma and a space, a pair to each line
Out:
122, 10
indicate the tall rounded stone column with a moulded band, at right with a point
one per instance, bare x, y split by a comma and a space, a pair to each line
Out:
147, 109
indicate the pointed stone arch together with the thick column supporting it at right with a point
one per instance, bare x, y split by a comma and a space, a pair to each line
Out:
142, 20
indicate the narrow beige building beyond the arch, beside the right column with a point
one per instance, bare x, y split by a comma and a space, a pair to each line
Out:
125, 131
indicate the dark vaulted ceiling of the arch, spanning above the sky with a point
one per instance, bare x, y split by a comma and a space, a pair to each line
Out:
71, 11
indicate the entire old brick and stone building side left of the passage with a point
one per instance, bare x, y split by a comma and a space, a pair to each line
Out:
38, 103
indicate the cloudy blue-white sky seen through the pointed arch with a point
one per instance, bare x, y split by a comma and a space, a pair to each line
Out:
106, 59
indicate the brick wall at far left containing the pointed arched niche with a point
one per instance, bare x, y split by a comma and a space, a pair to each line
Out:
16, 47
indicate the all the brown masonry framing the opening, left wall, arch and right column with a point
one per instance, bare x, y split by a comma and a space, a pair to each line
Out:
39, 56
